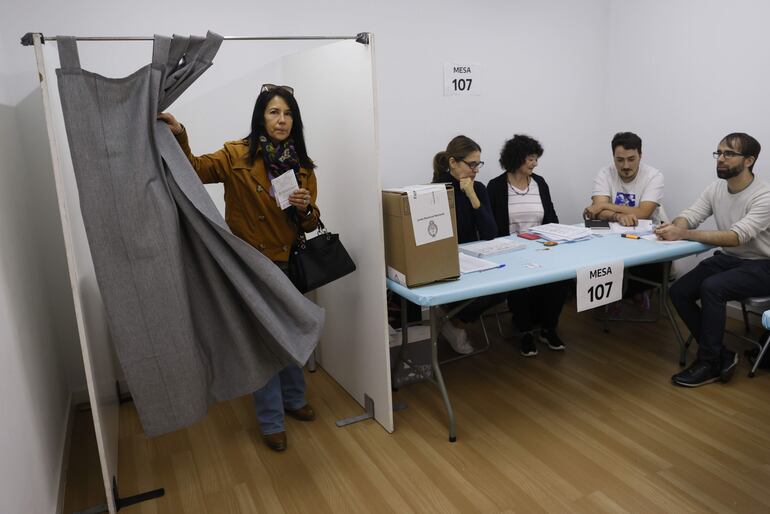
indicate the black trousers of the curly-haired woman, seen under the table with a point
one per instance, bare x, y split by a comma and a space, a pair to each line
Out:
538, 305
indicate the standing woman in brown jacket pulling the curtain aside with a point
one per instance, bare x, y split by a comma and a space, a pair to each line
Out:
246, 167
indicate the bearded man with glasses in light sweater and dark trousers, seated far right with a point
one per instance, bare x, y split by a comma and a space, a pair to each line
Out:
740, 204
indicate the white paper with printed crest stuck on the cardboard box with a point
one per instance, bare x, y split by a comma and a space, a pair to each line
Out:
431, 217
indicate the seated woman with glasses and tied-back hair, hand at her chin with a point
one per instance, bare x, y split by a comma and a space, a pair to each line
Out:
458, 165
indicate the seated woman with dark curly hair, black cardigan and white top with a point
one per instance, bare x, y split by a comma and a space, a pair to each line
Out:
520, 200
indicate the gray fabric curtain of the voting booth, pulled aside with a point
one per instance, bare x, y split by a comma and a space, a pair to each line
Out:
196, 314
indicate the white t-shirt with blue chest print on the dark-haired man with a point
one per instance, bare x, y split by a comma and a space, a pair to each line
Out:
647, 186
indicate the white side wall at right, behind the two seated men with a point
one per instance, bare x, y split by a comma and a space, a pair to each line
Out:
684, 74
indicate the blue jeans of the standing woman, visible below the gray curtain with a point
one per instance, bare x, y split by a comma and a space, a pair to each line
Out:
286, 390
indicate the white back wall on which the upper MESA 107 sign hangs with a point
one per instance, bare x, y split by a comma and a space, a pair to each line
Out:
543, 65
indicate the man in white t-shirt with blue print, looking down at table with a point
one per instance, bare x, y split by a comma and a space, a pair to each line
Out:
629, 190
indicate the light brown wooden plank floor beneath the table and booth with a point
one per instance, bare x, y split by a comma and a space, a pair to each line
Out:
598, 428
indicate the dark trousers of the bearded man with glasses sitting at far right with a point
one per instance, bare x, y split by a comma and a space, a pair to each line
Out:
714, 282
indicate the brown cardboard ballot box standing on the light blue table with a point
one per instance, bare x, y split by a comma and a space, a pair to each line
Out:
429, 253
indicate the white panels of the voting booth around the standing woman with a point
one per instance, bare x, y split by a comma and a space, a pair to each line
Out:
354, 346
